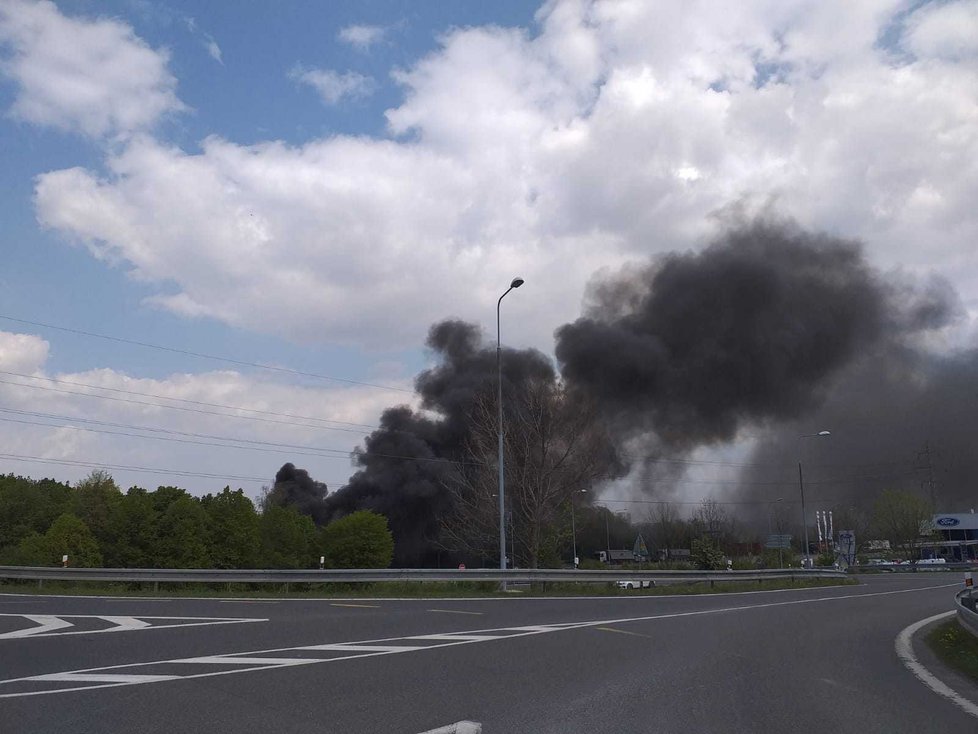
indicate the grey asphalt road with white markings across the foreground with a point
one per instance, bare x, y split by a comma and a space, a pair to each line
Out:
816, 660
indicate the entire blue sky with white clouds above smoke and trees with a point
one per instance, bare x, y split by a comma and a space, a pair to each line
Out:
313, 184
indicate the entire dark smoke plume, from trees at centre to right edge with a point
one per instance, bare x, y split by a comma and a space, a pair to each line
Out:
771, 328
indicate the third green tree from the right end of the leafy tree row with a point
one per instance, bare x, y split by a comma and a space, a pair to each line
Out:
234, 534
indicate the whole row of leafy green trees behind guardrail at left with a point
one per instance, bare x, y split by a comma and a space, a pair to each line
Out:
97, 525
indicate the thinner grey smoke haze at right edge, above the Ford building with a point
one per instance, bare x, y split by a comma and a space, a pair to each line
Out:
901, 418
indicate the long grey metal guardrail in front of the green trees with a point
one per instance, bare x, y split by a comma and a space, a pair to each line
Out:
257, 576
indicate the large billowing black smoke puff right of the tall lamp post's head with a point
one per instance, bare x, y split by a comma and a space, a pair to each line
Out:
750, 329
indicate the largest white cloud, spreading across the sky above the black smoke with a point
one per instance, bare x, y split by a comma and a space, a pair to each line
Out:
611, 135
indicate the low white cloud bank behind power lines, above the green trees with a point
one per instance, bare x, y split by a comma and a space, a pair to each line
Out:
47, 415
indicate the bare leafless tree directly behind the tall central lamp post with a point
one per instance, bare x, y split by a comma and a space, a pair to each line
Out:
554, 445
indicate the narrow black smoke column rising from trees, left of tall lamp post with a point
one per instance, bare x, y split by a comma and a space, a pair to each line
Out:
403, 463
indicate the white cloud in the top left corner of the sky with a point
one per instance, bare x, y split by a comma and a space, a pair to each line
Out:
95, 77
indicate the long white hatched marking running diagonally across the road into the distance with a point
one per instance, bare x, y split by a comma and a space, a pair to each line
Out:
375, 648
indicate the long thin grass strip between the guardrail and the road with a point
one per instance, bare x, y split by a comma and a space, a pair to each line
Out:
398, 589
